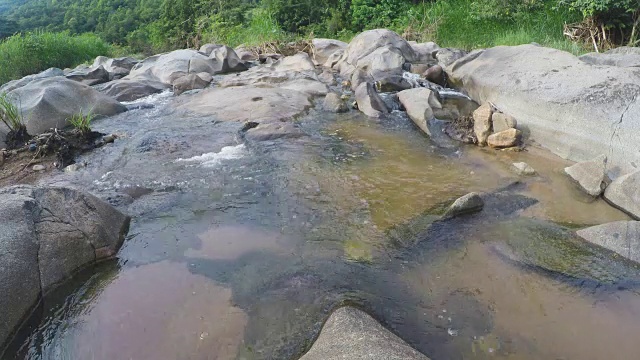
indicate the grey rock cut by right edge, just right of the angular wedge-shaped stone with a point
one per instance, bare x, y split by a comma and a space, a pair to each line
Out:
624, 193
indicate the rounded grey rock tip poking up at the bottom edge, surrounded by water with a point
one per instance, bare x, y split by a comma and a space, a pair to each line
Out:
350, 333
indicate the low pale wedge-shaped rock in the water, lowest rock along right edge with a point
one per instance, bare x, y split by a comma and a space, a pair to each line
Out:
623, 237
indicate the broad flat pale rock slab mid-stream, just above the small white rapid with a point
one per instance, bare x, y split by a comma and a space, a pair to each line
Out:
248, 103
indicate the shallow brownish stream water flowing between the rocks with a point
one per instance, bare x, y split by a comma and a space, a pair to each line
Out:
241, 251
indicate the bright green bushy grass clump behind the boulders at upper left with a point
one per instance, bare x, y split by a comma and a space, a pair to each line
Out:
30, 53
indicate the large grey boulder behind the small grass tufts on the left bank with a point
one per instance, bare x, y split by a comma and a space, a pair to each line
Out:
48, 103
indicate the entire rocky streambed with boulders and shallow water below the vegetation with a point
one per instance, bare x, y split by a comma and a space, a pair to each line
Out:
265, 192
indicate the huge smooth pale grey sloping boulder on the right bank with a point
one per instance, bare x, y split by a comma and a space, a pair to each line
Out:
574, 115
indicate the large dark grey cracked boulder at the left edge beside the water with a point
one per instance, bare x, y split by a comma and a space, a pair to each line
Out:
46, 235
